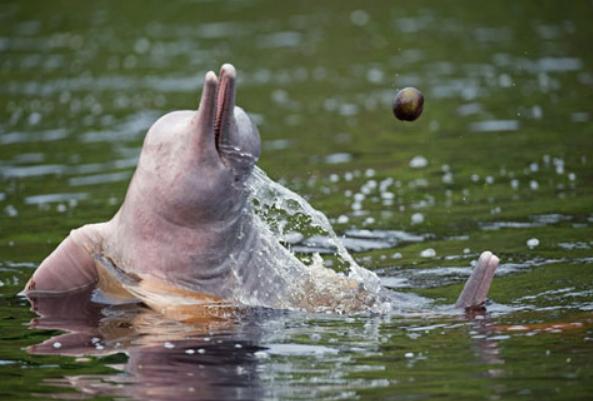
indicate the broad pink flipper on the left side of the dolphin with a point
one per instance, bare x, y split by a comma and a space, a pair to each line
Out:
70, 267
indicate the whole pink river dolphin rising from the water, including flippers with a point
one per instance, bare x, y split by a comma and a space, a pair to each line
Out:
185, 234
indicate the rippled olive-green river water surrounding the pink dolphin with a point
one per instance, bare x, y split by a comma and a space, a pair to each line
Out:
501, 158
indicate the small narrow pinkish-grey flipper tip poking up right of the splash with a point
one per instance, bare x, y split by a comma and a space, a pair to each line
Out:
477, 286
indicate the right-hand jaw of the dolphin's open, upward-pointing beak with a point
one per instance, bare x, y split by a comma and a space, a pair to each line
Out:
225, 102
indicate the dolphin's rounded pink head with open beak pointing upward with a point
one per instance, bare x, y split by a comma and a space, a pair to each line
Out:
194, 164
